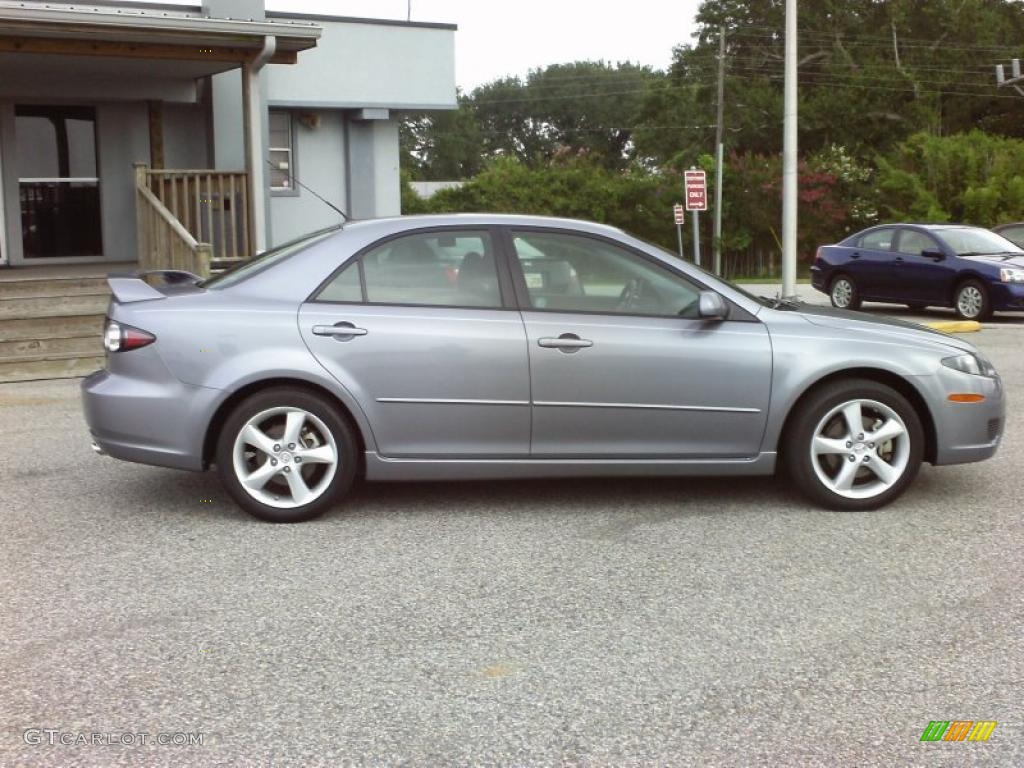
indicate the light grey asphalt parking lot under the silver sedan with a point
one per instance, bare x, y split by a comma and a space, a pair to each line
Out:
616, 623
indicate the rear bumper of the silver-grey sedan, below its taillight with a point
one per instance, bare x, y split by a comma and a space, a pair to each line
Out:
151, 421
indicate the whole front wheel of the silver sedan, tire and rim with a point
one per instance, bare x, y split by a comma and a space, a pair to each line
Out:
855, 446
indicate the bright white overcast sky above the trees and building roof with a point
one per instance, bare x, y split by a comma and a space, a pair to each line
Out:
498, 38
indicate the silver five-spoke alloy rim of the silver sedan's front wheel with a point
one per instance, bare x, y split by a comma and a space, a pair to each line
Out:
861, 449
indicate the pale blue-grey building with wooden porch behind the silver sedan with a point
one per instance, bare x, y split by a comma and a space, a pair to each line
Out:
181, 137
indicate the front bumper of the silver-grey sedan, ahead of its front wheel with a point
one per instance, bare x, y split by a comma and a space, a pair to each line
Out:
967, 432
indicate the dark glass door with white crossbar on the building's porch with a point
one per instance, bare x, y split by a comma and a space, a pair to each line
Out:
59, 185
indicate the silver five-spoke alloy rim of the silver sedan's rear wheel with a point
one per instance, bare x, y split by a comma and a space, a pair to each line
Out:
285, 457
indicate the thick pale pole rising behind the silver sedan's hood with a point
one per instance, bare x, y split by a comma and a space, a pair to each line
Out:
790, 180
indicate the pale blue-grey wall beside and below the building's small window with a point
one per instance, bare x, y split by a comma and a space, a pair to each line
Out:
320, 164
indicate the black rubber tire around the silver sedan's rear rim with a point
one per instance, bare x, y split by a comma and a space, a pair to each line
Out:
330, 418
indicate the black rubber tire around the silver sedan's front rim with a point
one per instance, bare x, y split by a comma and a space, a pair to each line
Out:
816, 407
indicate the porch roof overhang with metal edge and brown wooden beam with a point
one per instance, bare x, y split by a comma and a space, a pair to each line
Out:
139, 33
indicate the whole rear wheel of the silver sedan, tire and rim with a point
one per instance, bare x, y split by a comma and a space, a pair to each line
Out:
286, 456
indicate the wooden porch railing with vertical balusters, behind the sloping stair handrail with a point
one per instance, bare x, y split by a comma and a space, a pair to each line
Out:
211, 206
